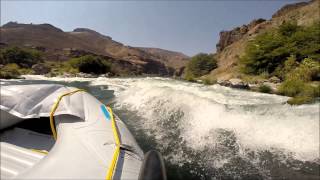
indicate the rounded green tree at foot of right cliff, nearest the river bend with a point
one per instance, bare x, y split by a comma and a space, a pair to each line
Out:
200, 65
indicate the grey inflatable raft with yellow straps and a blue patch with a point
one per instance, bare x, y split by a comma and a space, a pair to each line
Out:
58, 132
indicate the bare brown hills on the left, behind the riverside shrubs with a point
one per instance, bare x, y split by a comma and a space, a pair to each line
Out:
58, 45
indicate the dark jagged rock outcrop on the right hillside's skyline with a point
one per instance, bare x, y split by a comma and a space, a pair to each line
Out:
229, 37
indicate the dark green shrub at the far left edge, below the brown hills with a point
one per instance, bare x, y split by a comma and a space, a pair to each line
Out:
23, 57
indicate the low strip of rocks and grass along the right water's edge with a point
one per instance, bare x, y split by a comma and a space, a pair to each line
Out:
301, 92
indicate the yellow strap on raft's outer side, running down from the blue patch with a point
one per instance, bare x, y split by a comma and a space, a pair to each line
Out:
116, 152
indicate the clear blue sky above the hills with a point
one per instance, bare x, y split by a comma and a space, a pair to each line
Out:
186, 26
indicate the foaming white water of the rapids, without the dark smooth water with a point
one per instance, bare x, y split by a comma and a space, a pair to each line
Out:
258, 121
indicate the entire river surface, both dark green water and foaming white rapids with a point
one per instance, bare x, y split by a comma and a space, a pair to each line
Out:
211, 132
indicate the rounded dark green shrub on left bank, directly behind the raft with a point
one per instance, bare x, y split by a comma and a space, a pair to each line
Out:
90, 64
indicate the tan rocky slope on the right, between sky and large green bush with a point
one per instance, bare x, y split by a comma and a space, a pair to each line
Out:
232, 43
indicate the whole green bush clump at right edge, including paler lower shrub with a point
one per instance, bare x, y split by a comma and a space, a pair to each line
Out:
291, 53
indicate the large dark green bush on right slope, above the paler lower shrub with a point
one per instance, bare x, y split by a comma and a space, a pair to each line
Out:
269, 51
